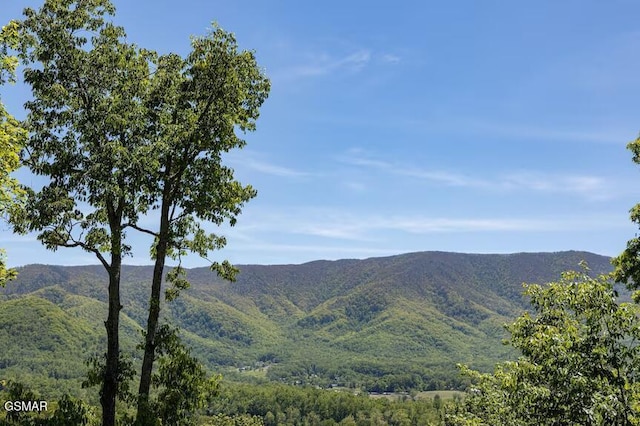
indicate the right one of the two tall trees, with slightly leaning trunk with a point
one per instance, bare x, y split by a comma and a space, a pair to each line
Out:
194, 106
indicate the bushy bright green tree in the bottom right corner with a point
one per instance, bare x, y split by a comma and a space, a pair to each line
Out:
579, 364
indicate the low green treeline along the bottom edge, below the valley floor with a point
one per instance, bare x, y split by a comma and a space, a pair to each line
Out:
244, 404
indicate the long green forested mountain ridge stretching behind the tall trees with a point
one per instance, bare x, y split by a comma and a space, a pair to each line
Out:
392, 323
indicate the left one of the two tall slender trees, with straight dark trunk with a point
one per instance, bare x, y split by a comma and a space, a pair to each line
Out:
87, 136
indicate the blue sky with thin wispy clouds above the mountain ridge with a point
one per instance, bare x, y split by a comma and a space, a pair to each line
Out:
394, 127
